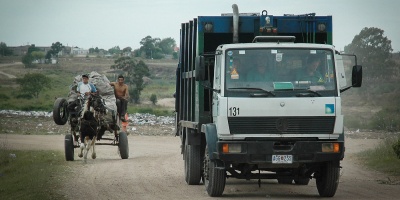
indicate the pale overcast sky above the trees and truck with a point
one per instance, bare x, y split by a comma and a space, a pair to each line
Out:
123, 23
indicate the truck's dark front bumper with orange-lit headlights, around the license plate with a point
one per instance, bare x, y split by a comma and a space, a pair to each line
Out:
261, 152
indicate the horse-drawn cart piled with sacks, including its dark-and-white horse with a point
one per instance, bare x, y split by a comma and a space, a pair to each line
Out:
90, 117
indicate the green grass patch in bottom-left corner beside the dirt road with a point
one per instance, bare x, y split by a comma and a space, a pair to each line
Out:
31, 174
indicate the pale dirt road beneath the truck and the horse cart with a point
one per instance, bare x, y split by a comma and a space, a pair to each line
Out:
154, 170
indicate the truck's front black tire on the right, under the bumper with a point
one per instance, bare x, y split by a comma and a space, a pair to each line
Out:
328, 179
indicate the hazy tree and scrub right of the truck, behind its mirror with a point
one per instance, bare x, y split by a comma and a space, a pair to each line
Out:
377, 103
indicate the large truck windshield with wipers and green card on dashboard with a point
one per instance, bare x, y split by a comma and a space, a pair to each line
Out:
285, 72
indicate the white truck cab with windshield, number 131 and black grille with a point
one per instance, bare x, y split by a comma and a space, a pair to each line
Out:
273, 90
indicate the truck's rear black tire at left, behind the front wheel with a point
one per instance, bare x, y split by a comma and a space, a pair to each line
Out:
192, 164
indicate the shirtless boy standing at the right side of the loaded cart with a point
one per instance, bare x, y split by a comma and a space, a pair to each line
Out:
122, 95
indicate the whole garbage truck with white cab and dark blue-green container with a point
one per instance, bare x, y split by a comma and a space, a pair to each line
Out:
258, 97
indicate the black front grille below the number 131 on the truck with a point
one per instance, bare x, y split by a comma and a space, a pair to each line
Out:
281, 125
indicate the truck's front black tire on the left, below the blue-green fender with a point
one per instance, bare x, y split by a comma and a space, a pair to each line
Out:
214, 179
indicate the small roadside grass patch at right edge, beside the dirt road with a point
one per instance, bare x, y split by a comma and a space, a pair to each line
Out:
382, 158
